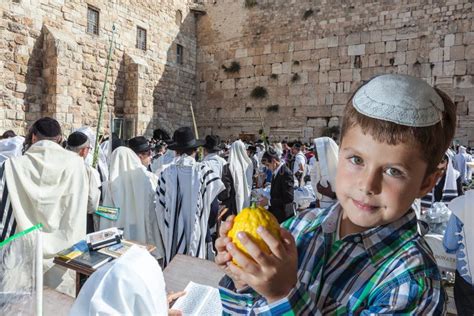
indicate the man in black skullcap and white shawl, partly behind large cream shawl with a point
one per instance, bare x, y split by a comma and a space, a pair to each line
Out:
79, 143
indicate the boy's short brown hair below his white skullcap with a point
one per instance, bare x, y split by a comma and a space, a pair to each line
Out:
433, 141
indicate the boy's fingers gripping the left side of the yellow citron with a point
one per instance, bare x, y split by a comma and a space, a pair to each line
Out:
223, 257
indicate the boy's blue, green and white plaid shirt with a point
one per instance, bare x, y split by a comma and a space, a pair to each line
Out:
387, 269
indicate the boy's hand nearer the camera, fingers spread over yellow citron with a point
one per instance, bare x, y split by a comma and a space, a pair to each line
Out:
274, 275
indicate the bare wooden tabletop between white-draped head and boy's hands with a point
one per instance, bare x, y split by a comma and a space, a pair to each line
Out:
183, 269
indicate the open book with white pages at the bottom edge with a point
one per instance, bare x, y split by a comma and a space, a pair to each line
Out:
199, 300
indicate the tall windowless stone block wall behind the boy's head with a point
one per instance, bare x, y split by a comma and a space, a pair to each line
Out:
311, 55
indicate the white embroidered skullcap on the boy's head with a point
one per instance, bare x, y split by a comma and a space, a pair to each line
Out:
400, 99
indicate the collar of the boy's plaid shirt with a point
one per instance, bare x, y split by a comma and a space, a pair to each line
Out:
380, 242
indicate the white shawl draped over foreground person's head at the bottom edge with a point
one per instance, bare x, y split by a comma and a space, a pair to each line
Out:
130, 285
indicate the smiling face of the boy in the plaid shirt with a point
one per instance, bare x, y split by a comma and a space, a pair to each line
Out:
376, 183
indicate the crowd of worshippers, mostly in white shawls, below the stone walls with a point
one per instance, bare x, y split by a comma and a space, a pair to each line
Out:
167, 195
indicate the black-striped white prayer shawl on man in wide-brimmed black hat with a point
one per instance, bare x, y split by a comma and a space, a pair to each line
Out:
170, 212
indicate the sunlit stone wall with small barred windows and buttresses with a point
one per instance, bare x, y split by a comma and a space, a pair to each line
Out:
50, 65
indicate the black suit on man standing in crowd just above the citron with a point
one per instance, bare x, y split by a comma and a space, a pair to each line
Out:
281, 193
